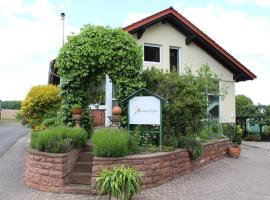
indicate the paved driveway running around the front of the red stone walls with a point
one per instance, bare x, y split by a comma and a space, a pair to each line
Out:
246, 178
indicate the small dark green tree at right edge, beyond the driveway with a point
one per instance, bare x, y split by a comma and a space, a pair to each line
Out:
261, 116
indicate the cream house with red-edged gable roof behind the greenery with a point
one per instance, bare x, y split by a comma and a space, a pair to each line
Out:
169, 42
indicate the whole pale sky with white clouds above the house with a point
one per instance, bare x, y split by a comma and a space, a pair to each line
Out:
31, 35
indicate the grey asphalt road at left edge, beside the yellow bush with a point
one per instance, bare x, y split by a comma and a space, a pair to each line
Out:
10, 132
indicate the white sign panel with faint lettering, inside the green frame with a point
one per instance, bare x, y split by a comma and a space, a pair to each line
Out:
144, 110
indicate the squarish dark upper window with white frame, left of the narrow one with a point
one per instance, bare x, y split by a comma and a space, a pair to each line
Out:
152, 53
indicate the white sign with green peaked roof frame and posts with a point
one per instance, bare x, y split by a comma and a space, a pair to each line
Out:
145, 108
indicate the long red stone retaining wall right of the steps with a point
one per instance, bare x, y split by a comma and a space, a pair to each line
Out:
161, 167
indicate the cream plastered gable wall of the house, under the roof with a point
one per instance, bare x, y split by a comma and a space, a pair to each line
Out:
193, 56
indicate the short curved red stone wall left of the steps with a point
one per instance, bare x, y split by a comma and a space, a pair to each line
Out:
47, 171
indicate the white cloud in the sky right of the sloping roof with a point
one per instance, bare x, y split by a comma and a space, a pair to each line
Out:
245, 37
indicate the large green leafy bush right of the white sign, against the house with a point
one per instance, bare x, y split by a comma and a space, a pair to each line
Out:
186, 104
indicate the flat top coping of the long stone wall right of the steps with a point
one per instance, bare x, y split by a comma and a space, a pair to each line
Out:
153, 155
